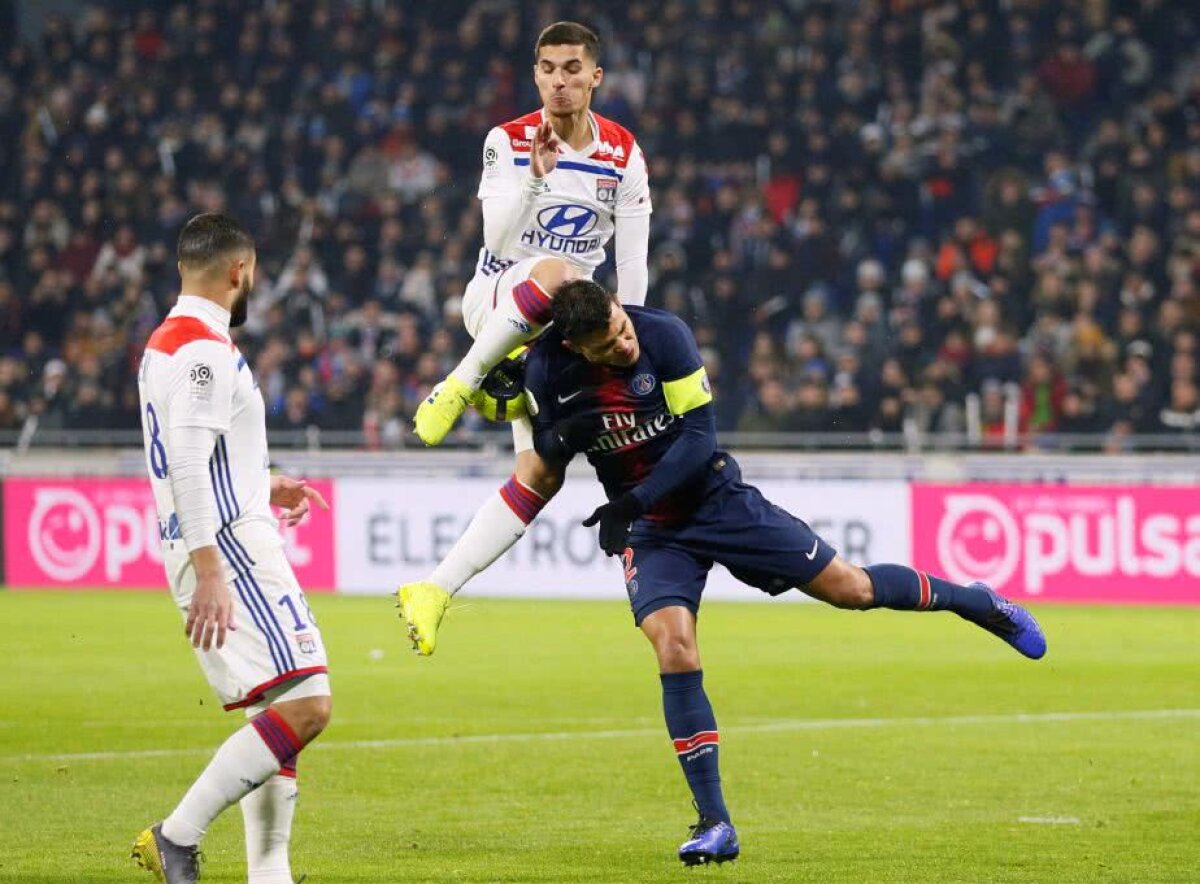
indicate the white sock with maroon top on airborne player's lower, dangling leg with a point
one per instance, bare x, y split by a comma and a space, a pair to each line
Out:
499, 525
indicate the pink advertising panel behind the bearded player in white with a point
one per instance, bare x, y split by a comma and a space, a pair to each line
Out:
104, 533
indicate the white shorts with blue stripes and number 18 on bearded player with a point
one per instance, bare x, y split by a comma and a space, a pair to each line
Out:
277, 640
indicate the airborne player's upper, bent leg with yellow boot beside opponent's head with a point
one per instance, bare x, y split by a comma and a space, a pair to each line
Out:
521, 311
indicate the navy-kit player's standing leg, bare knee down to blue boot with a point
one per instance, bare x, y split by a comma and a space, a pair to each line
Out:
693, 730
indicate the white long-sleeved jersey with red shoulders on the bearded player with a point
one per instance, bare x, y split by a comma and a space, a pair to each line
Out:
194, 376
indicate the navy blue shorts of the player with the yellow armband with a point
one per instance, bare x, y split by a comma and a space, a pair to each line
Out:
763, 545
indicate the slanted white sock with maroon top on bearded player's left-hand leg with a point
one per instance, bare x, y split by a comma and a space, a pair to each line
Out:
243, 763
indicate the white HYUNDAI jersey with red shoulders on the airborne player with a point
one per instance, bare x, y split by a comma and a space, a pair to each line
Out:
589, 190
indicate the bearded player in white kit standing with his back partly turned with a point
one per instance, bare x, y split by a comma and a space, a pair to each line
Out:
206, 444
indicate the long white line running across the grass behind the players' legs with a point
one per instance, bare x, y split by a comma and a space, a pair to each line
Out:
787, 725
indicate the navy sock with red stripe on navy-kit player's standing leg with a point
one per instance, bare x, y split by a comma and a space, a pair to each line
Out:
693, 727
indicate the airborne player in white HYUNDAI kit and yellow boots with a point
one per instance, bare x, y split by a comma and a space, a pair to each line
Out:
556, 187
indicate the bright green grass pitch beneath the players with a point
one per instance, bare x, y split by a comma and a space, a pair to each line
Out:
566, 799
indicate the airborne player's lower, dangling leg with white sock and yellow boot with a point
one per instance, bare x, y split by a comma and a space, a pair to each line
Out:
500, 524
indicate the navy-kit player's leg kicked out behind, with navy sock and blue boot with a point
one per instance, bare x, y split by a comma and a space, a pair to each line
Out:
904, 588
